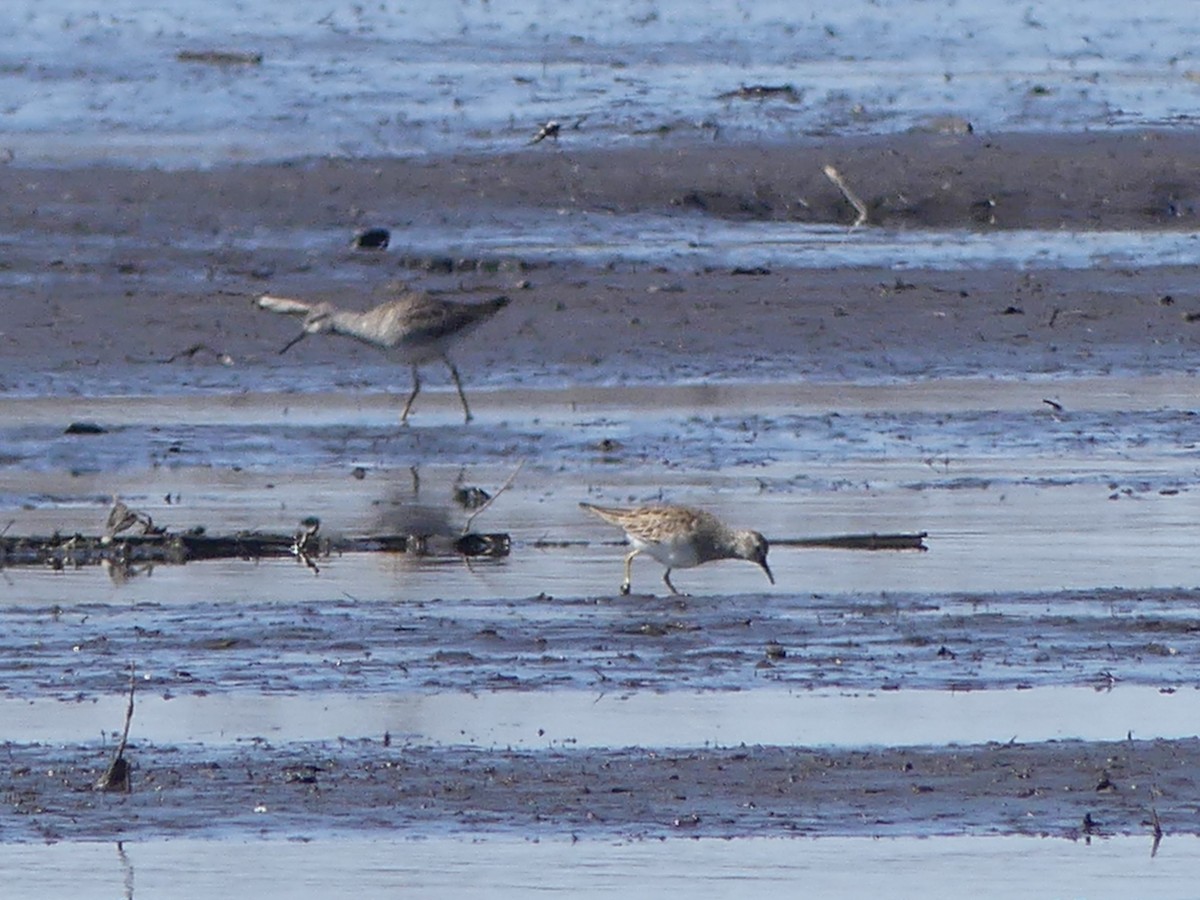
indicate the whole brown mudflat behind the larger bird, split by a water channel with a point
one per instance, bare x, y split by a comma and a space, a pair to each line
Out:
171, 262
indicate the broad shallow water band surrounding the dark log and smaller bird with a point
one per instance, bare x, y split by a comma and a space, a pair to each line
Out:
1013, 496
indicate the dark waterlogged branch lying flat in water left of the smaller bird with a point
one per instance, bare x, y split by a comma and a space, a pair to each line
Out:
61, 551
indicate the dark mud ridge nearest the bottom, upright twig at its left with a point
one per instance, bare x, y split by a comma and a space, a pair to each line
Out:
1067, 790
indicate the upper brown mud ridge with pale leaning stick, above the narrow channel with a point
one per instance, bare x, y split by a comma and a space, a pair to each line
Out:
1133, 179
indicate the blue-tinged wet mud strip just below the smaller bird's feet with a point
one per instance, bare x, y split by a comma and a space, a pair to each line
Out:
1097, 639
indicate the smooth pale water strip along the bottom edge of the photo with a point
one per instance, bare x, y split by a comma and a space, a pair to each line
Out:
502, 868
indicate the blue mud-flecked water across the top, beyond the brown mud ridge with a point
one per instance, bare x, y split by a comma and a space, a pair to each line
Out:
87, 86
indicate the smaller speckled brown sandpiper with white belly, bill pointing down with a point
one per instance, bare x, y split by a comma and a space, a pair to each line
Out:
682, 537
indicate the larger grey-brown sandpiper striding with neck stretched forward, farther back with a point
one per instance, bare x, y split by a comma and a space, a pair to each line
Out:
417, 327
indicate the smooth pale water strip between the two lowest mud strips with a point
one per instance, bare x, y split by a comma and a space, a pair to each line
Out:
613, 717
